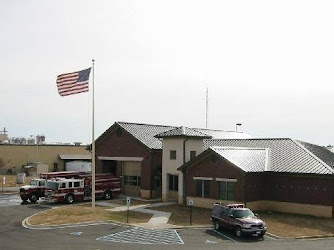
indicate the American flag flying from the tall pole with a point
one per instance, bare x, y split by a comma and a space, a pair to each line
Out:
73, 83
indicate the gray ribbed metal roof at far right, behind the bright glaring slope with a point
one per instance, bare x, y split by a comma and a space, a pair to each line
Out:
286, 155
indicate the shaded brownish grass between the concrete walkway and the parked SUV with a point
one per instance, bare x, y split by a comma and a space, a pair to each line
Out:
181, 215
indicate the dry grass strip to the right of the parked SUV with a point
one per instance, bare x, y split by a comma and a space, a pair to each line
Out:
292, 225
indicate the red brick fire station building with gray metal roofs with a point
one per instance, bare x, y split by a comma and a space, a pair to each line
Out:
208, 166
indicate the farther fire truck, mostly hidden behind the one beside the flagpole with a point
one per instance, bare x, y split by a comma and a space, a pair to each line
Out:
36, 187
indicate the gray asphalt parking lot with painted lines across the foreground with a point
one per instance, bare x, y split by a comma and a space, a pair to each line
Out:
109, 235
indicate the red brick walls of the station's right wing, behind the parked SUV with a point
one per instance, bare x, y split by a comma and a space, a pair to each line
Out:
295, 188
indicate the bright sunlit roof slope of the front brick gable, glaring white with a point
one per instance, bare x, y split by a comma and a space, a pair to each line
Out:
247, 159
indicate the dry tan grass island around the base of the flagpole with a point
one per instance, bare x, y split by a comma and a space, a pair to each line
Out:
84, 213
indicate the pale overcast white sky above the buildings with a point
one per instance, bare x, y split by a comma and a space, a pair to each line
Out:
270, 66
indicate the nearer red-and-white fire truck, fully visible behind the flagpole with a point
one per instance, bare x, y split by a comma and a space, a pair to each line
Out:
107, 186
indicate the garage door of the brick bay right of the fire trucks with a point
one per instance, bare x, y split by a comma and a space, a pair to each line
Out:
131, 178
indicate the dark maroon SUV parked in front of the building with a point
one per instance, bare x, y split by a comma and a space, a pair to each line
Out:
239, 219
